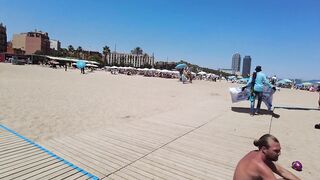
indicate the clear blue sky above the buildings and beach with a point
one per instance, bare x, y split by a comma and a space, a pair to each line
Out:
283, 36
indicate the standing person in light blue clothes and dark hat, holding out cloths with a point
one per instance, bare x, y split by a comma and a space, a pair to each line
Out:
259, 82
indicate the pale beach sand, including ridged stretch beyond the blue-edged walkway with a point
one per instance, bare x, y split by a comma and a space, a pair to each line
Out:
135, 127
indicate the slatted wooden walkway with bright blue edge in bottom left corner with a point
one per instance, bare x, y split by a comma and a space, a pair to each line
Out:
21, 158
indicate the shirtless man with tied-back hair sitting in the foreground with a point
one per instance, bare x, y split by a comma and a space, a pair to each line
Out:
259, 164
